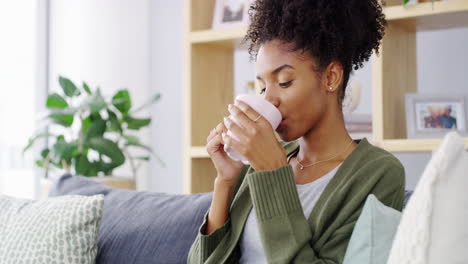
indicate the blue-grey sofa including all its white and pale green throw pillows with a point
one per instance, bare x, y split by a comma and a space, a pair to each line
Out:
84, 221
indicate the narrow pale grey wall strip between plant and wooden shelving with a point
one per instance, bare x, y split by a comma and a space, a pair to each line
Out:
166, 77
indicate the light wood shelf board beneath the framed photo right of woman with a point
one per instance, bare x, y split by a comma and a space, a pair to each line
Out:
412, 145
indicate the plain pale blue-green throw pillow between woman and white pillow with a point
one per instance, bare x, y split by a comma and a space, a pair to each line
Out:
373, 233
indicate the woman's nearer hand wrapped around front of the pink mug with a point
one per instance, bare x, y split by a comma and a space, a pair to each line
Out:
258, 143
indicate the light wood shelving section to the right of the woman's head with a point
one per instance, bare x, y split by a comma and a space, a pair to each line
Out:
394, 71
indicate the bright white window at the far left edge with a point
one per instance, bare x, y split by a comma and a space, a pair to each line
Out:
22, 68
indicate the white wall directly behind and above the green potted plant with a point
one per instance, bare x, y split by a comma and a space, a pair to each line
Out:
105, 43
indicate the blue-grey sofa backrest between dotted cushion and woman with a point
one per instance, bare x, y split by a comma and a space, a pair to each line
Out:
141, 227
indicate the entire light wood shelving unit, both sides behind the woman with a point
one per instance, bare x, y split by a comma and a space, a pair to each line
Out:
209, 84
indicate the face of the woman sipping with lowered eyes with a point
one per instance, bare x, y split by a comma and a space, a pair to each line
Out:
288, 81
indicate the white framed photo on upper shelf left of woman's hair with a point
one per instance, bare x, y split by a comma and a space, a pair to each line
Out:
231, 13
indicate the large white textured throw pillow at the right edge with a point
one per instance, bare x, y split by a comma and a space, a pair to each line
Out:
434, 224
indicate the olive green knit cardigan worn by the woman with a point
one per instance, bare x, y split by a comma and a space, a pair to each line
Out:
287, 235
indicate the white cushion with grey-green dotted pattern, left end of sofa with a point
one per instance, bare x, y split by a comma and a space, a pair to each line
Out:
54, 230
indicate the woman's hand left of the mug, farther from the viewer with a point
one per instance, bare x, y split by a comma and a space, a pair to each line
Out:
228, 169
